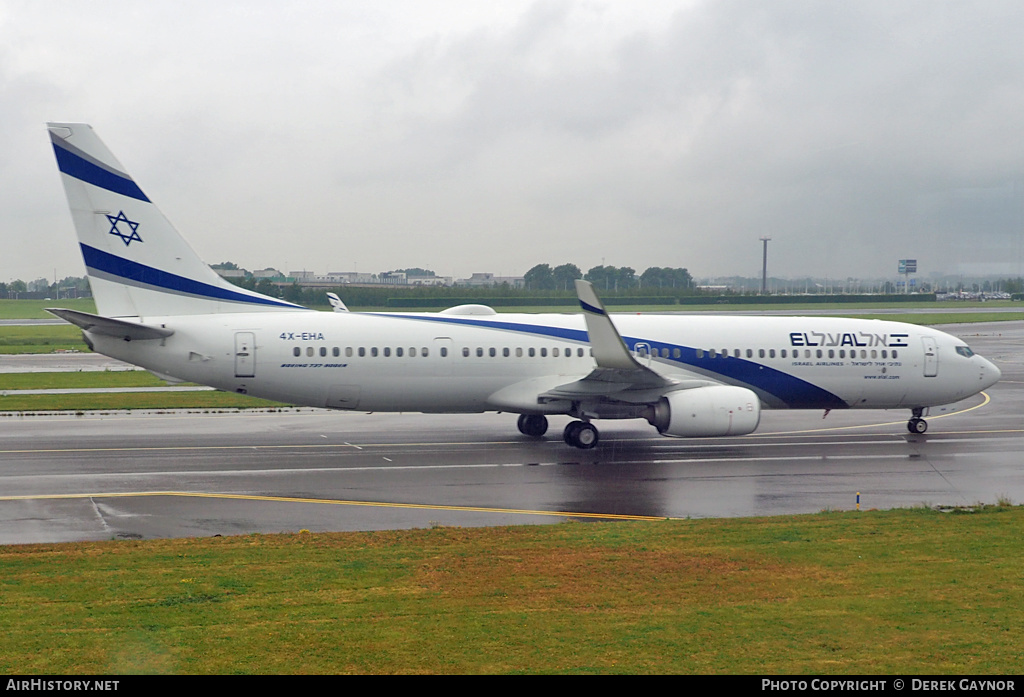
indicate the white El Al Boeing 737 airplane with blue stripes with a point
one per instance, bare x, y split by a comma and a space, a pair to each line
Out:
160, 308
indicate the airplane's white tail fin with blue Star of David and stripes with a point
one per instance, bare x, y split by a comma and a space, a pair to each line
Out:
139, 266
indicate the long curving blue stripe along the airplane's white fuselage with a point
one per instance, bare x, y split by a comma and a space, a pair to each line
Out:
792, 391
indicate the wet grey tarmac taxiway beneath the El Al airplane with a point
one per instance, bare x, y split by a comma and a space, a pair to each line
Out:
174, 474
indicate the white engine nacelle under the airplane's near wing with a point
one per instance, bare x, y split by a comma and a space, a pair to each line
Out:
704, 412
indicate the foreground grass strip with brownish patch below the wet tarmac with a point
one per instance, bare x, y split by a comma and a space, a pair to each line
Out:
873, 593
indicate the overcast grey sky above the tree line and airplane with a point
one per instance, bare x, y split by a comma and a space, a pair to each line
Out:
491, 137
